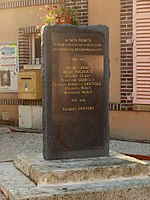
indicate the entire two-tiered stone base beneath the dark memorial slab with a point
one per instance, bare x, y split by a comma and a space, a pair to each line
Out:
110, 186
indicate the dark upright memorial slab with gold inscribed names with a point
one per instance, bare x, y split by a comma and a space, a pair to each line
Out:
75, 91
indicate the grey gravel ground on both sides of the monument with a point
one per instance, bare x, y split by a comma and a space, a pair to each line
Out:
12, 143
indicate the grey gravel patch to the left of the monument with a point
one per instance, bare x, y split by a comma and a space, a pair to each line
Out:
14, 143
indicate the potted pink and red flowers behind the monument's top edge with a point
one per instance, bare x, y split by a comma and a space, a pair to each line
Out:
61, 15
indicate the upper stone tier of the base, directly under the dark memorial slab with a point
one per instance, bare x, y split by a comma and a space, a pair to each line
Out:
78, 170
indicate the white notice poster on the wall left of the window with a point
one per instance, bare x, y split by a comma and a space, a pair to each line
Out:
9, 67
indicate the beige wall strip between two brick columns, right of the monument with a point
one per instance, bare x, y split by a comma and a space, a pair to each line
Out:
108, 12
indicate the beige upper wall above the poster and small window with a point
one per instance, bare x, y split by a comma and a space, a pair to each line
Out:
13, 19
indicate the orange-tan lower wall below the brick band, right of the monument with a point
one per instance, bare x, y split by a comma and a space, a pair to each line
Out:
130, 125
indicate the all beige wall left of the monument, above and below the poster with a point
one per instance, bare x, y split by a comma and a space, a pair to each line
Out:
10, 21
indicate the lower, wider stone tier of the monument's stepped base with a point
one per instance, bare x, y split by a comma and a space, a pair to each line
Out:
16, 186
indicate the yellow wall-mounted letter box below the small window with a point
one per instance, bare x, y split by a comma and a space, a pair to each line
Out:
30, 85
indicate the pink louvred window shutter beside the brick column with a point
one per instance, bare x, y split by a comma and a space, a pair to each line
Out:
141, 51
